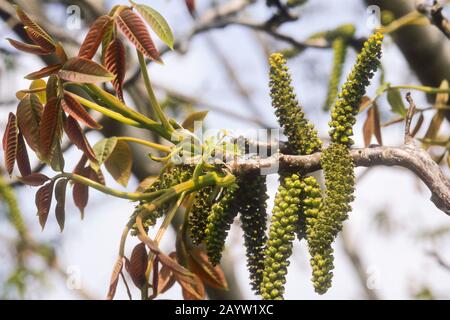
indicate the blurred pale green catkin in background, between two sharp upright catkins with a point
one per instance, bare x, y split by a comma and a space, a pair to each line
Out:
339, 51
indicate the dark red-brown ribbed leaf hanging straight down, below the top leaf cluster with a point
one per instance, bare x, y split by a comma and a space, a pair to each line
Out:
115, 62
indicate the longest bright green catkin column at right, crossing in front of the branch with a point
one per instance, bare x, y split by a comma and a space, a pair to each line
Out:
338, 166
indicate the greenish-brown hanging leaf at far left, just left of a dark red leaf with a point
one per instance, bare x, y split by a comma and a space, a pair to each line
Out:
29, 113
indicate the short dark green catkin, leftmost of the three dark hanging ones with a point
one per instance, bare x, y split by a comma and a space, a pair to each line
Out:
198, 217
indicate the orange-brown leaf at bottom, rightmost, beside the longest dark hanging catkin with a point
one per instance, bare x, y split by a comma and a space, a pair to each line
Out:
200, 265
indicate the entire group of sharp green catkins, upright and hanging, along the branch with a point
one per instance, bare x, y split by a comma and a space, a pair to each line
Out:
301, 209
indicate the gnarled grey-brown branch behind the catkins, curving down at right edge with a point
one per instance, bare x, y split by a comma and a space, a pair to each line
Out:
408, 156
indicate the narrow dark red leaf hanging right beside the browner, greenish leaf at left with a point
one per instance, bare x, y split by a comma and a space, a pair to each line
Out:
50, 128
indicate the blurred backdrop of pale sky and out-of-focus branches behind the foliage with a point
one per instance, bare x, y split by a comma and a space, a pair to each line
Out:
396, 243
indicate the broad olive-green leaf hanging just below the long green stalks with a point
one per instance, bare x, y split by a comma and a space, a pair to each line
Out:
119, 163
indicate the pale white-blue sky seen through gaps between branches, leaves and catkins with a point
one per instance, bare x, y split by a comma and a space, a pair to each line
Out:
396, 262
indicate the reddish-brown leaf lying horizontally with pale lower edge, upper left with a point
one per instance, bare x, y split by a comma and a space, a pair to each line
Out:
84, 71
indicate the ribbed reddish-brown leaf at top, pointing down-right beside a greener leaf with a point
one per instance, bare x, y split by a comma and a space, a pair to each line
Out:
136, 31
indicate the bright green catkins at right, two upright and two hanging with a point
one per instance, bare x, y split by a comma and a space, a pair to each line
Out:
299, 205
